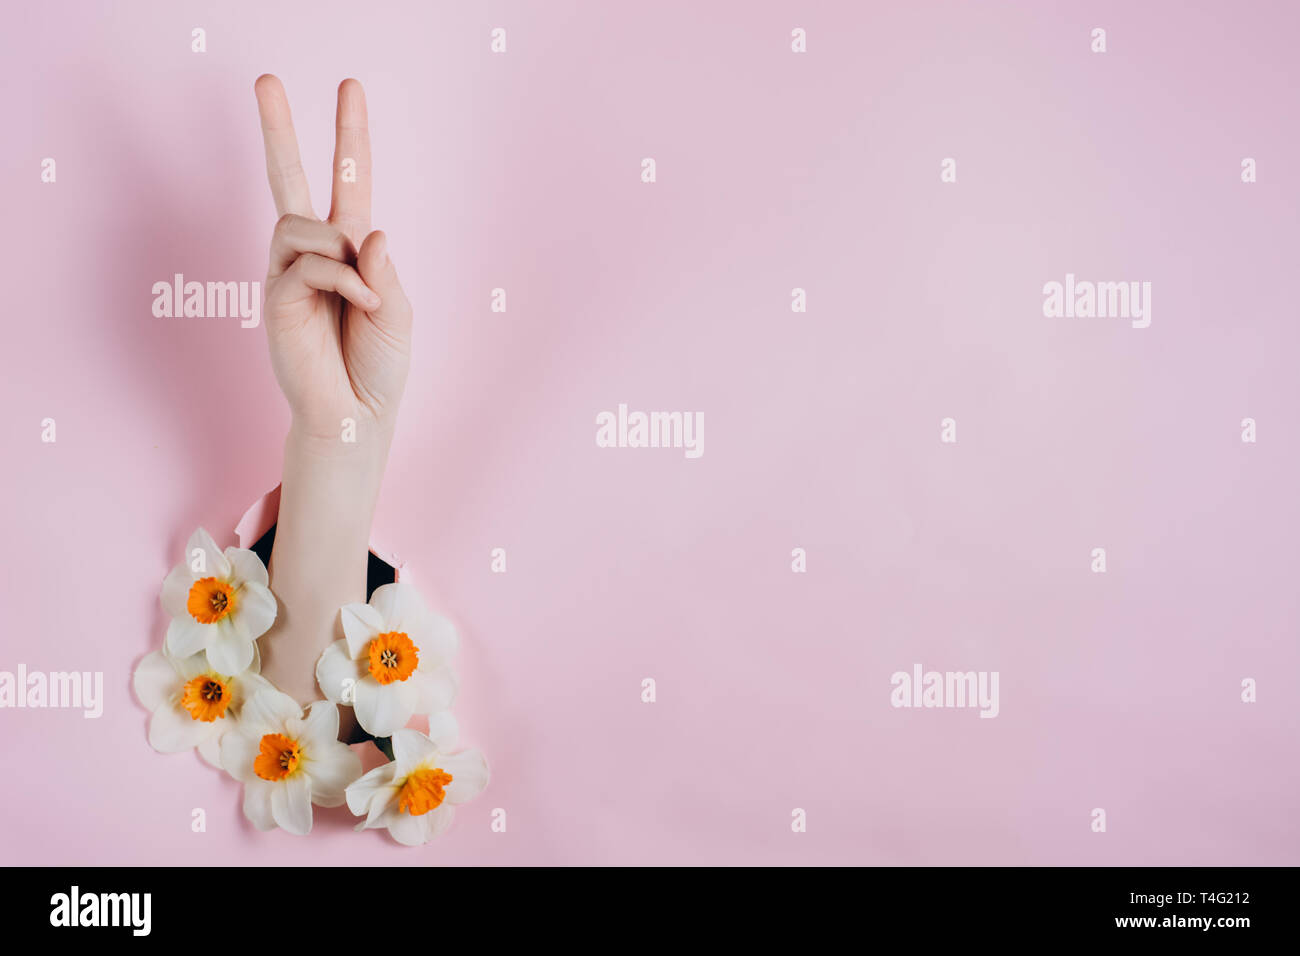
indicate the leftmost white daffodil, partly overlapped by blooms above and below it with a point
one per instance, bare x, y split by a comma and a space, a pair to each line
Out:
192, 704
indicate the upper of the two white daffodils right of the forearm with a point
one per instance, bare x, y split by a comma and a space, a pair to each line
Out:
395, 661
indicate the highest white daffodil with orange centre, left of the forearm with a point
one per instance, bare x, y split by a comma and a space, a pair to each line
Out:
219, 603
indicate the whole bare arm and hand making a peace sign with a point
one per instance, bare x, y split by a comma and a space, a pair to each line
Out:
340, 332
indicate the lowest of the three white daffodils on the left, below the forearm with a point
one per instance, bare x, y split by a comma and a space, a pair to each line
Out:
288, 760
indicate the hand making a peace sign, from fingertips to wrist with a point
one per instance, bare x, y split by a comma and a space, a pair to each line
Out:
337, 321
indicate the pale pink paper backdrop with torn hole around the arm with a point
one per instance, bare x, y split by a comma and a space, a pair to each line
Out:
822, 430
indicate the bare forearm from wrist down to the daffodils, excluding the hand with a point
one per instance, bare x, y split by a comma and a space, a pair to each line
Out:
319, 560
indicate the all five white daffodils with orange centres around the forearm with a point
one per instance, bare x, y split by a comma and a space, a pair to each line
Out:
206, 693
